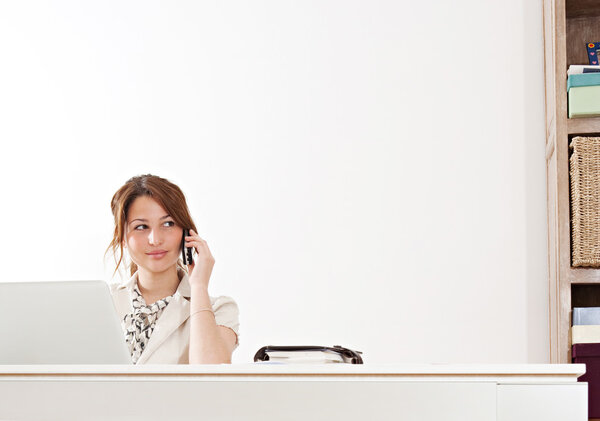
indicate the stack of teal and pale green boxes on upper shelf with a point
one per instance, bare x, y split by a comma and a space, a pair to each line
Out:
583, 87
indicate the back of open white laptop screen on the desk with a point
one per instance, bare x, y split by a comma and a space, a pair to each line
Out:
70, 322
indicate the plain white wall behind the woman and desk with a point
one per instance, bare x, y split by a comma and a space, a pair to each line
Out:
366, 173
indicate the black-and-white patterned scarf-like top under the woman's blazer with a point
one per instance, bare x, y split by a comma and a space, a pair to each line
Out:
139, 325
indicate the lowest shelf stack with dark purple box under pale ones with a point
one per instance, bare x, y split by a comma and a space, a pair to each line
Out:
585, 337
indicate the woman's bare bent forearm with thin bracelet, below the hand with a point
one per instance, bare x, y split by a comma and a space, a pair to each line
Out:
209, 343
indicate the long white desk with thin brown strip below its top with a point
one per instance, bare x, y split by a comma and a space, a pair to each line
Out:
294, 392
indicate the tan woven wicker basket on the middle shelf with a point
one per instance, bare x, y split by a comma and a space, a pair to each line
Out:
585, 201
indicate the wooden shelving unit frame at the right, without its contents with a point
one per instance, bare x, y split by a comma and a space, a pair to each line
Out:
568, 26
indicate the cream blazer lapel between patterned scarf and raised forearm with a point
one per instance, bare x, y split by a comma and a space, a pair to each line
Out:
173, 316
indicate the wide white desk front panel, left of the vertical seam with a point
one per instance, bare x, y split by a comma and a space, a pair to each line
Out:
184, 399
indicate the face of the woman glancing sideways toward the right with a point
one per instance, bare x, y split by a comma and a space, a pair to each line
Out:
152, 238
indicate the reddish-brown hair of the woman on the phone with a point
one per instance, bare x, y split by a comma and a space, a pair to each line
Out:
166, 194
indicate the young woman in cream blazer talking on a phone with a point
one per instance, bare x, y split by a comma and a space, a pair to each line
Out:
166, 312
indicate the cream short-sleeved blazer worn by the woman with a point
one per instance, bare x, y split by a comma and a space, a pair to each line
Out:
170, 340
